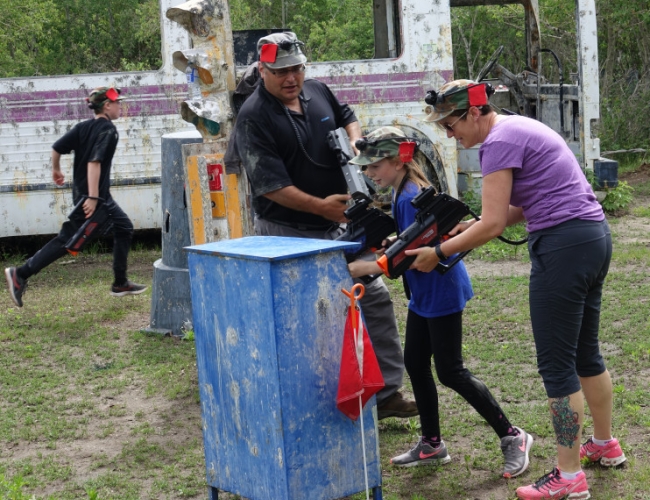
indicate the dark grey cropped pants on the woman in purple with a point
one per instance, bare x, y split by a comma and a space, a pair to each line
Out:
569, 265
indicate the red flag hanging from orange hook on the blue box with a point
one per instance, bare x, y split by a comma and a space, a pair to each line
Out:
359, 376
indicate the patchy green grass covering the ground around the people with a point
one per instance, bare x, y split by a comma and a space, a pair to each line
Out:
93, 408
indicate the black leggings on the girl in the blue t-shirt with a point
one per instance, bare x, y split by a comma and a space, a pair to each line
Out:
442, 337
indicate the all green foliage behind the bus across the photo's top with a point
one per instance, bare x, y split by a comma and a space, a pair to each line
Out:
52, 37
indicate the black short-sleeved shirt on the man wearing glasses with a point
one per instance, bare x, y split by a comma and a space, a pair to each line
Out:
270, 152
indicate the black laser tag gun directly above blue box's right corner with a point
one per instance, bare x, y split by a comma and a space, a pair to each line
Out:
368, 226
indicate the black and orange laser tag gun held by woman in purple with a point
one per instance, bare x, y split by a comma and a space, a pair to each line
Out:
437, 215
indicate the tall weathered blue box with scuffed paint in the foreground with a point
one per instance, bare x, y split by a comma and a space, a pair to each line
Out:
268, 317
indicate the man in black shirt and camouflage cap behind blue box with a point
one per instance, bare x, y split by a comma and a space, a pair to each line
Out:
298, 185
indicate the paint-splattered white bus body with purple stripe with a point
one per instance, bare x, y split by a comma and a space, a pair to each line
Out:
388, 90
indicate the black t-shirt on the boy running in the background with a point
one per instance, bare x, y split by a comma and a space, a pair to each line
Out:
91, 140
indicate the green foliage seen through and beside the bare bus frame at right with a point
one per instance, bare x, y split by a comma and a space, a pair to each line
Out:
623, 38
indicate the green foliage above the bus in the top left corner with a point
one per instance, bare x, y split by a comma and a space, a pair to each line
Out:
54, 37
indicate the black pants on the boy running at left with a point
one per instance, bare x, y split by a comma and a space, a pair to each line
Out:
55, 248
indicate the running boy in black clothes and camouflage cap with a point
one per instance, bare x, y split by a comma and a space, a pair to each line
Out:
93, 142
